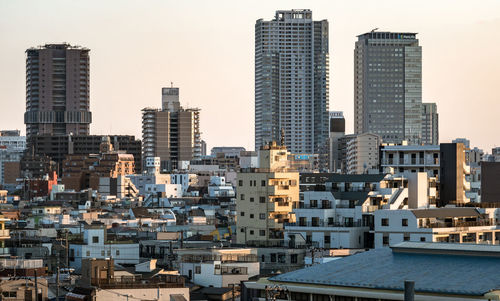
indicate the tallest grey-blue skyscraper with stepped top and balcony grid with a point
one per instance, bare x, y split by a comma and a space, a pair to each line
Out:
291, 81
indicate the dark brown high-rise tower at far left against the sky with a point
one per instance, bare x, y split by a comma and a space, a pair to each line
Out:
57, 90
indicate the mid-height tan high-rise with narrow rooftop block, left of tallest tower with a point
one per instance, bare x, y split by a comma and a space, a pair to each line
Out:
172, 133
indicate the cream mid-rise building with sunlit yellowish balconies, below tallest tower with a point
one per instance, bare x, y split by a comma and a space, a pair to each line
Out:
266, 197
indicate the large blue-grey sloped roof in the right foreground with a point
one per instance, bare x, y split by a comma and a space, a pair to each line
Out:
384, 269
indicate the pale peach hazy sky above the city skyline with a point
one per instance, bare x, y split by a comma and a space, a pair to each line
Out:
206, 48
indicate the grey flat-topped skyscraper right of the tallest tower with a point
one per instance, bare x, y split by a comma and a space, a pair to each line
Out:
388, 86
